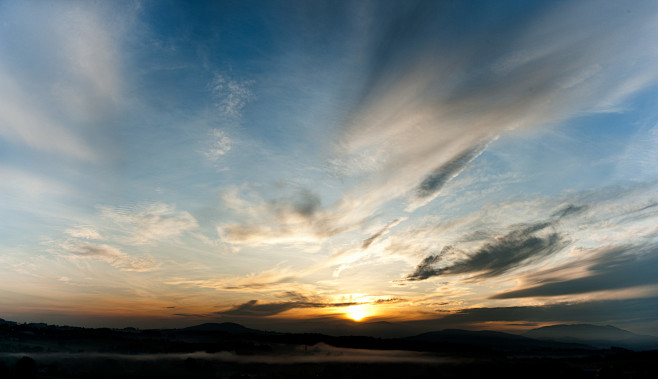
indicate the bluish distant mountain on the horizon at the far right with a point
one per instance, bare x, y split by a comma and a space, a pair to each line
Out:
598, 336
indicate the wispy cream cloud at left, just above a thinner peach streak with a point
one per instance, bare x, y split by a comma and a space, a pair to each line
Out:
152, 223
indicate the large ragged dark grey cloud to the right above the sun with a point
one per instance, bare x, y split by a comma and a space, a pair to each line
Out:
494, 258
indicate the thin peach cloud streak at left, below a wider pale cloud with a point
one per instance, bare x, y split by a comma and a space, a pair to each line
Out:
109, 254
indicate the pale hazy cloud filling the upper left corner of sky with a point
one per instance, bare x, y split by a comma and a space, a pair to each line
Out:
62, 75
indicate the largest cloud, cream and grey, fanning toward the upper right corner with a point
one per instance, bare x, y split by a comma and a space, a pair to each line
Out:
427, 104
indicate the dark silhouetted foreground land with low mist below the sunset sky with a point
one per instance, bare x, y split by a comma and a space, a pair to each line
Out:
232, 351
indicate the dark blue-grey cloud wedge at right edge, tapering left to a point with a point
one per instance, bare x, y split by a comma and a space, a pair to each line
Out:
614, 268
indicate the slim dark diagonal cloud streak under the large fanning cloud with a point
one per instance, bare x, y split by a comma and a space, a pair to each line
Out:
444, 173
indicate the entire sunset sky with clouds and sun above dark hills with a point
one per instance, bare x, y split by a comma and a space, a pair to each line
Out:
307, 165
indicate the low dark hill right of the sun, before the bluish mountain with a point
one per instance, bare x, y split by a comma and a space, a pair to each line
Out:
494, 340
